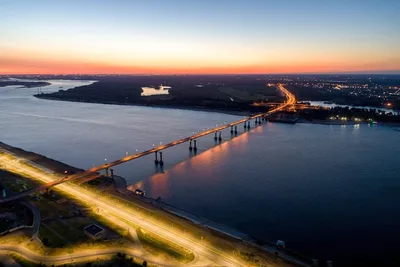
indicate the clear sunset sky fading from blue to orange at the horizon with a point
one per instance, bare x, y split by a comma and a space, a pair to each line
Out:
199, 37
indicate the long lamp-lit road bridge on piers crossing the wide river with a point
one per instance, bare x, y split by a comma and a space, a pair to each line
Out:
290, 100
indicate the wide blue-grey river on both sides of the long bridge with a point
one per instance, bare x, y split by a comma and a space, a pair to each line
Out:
329, 191
